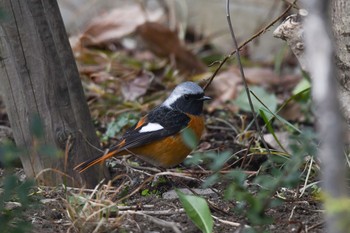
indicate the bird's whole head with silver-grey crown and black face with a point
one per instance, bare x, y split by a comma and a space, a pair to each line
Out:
187, 97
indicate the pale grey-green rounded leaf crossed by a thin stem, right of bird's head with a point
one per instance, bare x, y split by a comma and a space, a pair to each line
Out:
269, 100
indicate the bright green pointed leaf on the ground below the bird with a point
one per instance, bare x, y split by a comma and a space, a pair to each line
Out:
197, 210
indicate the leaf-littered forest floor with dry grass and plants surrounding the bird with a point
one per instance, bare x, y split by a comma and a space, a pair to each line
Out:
245, 185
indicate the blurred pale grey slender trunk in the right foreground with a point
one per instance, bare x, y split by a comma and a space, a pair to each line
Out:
320, 56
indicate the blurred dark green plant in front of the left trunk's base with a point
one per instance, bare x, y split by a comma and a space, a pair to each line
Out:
15, 191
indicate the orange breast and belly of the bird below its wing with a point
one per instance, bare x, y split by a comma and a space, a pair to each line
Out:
172, 150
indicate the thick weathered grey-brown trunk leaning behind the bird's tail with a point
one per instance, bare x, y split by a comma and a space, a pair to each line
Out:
38, 76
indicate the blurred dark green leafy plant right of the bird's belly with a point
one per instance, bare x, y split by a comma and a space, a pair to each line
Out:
282, 170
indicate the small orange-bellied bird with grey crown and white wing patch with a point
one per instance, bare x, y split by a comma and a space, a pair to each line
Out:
157, 137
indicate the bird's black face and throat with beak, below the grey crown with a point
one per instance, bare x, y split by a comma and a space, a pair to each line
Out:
190, 103
